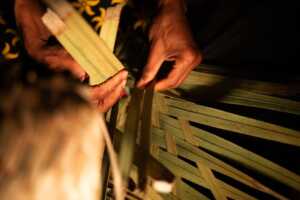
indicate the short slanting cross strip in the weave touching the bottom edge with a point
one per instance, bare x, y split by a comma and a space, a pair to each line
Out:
211, 181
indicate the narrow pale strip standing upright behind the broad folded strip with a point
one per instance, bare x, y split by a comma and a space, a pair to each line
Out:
110, 25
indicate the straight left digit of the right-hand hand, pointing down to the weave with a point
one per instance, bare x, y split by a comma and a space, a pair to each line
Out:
155, 60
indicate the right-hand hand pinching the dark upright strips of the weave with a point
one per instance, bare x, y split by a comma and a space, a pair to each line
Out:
171, 40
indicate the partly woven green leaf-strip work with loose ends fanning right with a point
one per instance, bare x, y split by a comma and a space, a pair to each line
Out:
209, 141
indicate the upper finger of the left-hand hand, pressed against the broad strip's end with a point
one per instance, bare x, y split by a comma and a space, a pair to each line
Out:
99, 92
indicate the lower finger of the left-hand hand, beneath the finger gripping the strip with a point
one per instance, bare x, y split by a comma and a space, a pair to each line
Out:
112, 98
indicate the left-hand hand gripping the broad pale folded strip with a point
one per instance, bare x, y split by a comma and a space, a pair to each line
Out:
28, 17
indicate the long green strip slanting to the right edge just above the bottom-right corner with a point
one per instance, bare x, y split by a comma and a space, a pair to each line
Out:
228, 149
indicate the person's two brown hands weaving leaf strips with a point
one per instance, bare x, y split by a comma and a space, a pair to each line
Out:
170, 40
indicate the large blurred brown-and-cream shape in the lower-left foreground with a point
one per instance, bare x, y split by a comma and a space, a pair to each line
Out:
50, 142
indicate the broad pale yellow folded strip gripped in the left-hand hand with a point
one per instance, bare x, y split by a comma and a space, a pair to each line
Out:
86, 41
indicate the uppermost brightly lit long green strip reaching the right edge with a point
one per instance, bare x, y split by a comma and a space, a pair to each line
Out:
231, 122
